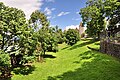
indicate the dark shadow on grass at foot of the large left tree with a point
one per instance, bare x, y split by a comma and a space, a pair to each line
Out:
24, 70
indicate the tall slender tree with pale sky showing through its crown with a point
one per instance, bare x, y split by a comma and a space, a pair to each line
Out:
40, 26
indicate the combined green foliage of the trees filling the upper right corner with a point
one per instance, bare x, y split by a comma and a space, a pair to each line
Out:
95, 13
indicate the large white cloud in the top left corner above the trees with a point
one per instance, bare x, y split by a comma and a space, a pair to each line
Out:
28, 6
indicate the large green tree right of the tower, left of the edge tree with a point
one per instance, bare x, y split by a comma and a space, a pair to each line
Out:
92, 15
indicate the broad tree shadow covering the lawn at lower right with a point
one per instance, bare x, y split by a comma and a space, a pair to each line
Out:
99, 68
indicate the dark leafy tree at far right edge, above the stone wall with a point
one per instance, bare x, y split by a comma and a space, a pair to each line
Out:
113, 14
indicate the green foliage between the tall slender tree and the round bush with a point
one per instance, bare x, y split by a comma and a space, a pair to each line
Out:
48, 40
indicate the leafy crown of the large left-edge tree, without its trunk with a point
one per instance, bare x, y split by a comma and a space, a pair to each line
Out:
12, 25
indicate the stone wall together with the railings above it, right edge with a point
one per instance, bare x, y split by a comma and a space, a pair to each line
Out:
110, 45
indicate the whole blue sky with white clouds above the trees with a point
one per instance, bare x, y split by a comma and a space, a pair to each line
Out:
63, 13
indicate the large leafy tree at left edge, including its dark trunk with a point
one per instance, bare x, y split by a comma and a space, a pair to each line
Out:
14, 33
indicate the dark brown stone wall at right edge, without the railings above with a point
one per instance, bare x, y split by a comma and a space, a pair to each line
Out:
110, 48
